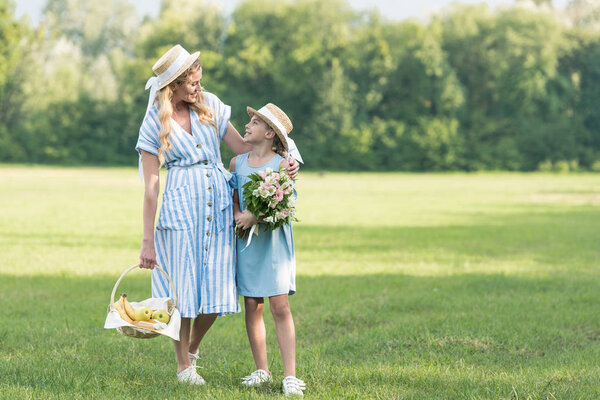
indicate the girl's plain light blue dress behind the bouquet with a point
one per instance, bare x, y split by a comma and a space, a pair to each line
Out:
268, 266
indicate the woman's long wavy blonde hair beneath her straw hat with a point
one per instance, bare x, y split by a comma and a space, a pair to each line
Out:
206, 114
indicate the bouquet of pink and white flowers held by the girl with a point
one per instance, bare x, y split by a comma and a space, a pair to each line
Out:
269, 196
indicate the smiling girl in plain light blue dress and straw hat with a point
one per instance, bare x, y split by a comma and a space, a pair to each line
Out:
267, 267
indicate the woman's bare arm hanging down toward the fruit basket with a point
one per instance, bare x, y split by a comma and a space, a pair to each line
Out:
150, 167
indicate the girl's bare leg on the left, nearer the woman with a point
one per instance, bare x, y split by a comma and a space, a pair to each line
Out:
255, 327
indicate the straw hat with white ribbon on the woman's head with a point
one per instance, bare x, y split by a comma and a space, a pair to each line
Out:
168, 68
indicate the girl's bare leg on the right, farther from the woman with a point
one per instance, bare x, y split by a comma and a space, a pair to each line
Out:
286, 335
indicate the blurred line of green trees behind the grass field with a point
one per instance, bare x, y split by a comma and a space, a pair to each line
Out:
472, 88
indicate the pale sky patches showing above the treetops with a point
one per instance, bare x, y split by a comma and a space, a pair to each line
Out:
397, 10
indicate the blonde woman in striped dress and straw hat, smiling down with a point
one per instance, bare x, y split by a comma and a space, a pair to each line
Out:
194, 239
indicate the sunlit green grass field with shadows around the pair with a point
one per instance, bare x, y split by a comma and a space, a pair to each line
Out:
410, 286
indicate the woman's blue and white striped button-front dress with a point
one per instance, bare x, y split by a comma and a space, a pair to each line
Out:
194, 236
